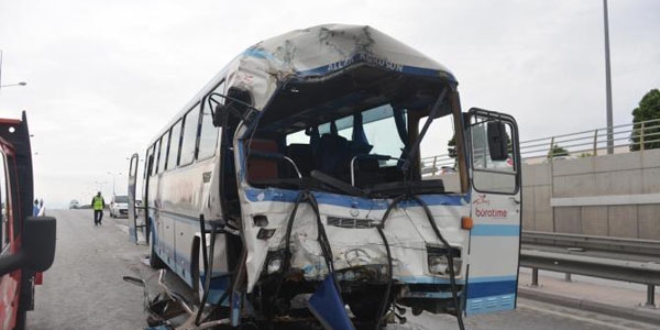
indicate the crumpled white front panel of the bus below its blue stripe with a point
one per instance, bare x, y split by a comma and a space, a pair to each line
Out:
408, 234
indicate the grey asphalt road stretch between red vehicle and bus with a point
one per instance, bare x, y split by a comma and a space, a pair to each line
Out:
84, 288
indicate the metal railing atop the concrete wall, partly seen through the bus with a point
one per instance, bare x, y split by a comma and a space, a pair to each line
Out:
628, 137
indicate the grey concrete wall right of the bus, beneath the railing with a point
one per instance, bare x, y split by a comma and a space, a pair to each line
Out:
612, 195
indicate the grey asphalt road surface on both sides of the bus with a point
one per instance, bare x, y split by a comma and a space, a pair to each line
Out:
84, 289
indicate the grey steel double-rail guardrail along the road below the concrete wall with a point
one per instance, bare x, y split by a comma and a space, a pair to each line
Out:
620, 269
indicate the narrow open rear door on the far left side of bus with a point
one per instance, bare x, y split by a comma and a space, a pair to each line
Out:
136, 220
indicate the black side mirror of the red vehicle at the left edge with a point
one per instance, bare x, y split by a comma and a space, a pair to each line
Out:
37, 252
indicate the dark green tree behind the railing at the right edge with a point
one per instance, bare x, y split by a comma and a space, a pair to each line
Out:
648, 109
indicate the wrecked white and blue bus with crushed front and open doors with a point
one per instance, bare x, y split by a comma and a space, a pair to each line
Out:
289, 189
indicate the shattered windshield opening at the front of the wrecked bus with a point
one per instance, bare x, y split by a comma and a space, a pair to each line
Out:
348, 135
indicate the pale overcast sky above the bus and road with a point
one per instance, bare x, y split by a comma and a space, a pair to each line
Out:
104, 76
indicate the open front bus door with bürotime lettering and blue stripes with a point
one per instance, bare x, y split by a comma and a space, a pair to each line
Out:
496, 212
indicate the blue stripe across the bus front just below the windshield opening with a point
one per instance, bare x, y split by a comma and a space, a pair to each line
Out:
289, 196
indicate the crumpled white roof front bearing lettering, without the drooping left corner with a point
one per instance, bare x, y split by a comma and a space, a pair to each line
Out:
324, 49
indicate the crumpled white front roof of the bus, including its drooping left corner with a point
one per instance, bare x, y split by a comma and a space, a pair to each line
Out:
321, 51
